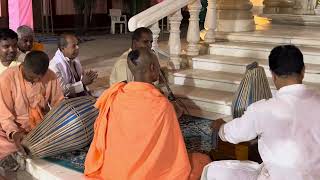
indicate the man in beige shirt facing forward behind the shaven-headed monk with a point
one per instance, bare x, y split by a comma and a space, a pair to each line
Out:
141, 37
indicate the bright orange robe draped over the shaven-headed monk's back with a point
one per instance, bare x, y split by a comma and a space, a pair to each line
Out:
137, 136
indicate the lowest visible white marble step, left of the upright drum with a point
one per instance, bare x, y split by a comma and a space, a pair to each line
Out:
206, 100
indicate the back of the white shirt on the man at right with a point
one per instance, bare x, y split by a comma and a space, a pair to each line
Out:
289, 133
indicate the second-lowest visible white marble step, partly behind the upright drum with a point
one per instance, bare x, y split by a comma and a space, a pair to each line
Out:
216, 80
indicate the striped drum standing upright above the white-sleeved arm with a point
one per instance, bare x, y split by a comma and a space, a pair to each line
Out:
253, 87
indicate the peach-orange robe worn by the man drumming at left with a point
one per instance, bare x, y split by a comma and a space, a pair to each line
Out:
17, 97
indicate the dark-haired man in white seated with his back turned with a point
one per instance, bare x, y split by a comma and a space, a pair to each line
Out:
287, 127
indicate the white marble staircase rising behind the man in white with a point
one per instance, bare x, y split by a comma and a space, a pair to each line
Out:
207, 89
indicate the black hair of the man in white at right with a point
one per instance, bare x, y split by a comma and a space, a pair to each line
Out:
286, 60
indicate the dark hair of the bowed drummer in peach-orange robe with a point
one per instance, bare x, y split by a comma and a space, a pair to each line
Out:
37, 62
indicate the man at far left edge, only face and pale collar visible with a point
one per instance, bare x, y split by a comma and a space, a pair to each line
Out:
8, 49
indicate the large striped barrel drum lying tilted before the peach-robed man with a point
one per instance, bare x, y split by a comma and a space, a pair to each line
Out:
65, 128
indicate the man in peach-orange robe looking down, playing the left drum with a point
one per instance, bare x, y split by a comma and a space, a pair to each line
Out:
26, 93
